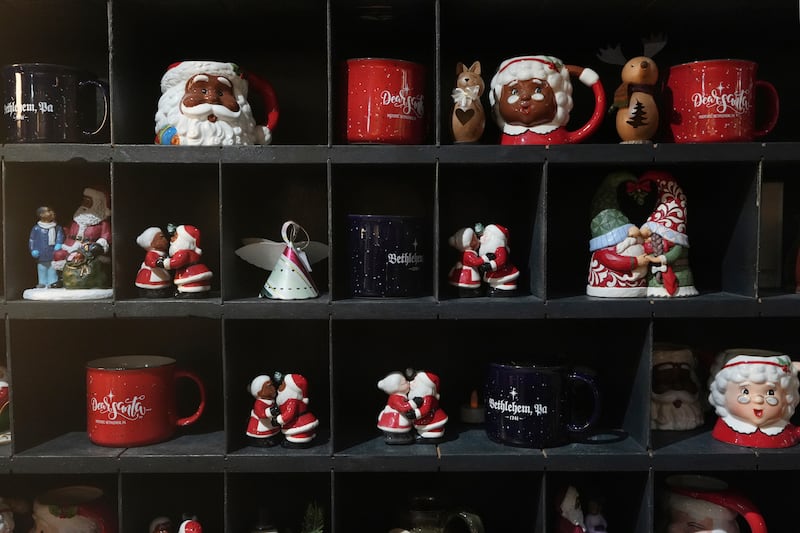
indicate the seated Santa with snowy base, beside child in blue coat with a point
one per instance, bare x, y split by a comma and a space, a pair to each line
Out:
84, 259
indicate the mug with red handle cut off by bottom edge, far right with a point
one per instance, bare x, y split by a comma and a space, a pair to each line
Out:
697, 503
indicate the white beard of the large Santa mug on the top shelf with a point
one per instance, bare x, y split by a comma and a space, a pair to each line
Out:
194, 129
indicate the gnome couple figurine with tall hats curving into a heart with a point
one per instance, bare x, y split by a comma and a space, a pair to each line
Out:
651, 260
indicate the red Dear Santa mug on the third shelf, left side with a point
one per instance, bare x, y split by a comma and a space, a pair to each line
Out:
132, 400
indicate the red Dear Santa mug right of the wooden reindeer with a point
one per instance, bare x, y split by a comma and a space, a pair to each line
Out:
717, 100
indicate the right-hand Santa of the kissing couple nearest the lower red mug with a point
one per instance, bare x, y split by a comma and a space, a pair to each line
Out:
297, 423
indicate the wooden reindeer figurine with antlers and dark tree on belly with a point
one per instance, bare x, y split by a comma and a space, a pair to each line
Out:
637, 99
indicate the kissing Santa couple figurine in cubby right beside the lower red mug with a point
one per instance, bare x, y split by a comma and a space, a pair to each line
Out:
280, 413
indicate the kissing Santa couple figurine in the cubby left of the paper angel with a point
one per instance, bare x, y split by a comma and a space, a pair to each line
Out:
172, 266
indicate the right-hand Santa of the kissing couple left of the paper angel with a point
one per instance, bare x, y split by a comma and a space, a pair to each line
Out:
192, 279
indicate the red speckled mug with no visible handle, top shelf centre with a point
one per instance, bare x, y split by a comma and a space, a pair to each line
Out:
385, 101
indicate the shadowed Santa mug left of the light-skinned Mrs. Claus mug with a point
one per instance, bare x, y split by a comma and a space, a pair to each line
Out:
675, 398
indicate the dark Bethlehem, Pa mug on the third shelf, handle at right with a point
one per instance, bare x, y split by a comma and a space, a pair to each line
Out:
535, 405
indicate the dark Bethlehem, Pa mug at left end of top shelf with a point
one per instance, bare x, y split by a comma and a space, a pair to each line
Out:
51, 103
